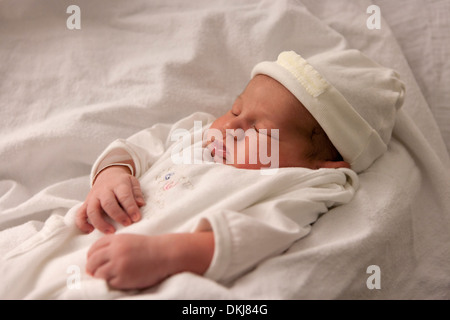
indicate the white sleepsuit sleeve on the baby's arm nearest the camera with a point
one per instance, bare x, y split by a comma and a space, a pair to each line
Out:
270, 227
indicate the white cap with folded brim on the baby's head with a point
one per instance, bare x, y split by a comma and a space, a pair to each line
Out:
354, 99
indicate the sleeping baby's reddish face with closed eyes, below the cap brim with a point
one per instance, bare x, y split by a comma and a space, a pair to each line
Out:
266, 122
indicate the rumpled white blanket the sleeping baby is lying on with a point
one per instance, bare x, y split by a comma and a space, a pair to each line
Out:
66, 94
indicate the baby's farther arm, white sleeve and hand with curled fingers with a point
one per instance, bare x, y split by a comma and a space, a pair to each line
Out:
115, 191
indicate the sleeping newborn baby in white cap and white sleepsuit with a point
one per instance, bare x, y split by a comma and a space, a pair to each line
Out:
286, 152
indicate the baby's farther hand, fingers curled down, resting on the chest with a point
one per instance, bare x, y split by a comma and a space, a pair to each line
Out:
115, 193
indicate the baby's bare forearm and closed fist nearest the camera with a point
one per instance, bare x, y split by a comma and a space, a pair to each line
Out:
129, 261
